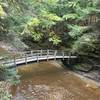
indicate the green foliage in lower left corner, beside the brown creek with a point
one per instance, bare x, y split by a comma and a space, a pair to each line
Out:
9, 76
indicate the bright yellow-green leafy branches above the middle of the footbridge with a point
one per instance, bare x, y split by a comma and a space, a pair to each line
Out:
44, 21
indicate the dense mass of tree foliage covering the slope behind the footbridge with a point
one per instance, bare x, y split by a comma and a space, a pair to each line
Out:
39, 18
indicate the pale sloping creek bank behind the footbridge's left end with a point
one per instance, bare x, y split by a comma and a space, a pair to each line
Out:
14, 45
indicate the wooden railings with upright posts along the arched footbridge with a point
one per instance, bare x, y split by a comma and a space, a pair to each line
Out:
37, 54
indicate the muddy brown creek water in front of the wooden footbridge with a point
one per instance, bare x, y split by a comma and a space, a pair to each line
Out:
50, 81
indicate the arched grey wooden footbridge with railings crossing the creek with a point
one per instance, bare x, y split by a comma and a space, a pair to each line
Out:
38, 55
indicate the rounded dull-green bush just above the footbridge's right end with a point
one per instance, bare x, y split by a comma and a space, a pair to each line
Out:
84, 44
